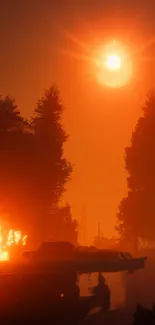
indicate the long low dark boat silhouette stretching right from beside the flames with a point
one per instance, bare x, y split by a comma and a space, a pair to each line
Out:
62, 256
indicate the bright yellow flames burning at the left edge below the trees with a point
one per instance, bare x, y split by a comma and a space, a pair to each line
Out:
11, 238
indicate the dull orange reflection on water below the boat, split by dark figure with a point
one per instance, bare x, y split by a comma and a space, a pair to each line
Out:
115, 282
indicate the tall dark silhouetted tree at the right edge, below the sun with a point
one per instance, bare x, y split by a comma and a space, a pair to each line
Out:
136, 216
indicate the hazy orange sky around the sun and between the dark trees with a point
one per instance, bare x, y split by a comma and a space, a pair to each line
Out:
44, 42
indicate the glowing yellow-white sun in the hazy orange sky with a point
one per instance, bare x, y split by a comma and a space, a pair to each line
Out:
114, 65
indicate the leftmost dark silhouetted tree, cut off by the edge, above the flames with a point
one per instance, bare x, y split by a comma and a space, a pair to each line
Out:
15, 155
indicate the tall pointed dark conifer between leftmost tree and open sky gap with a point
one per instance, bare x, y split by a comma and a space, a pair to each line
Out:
52, 170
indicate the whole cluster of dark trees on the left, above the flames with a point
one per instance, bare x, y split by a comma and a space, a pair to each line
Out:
34, 170
